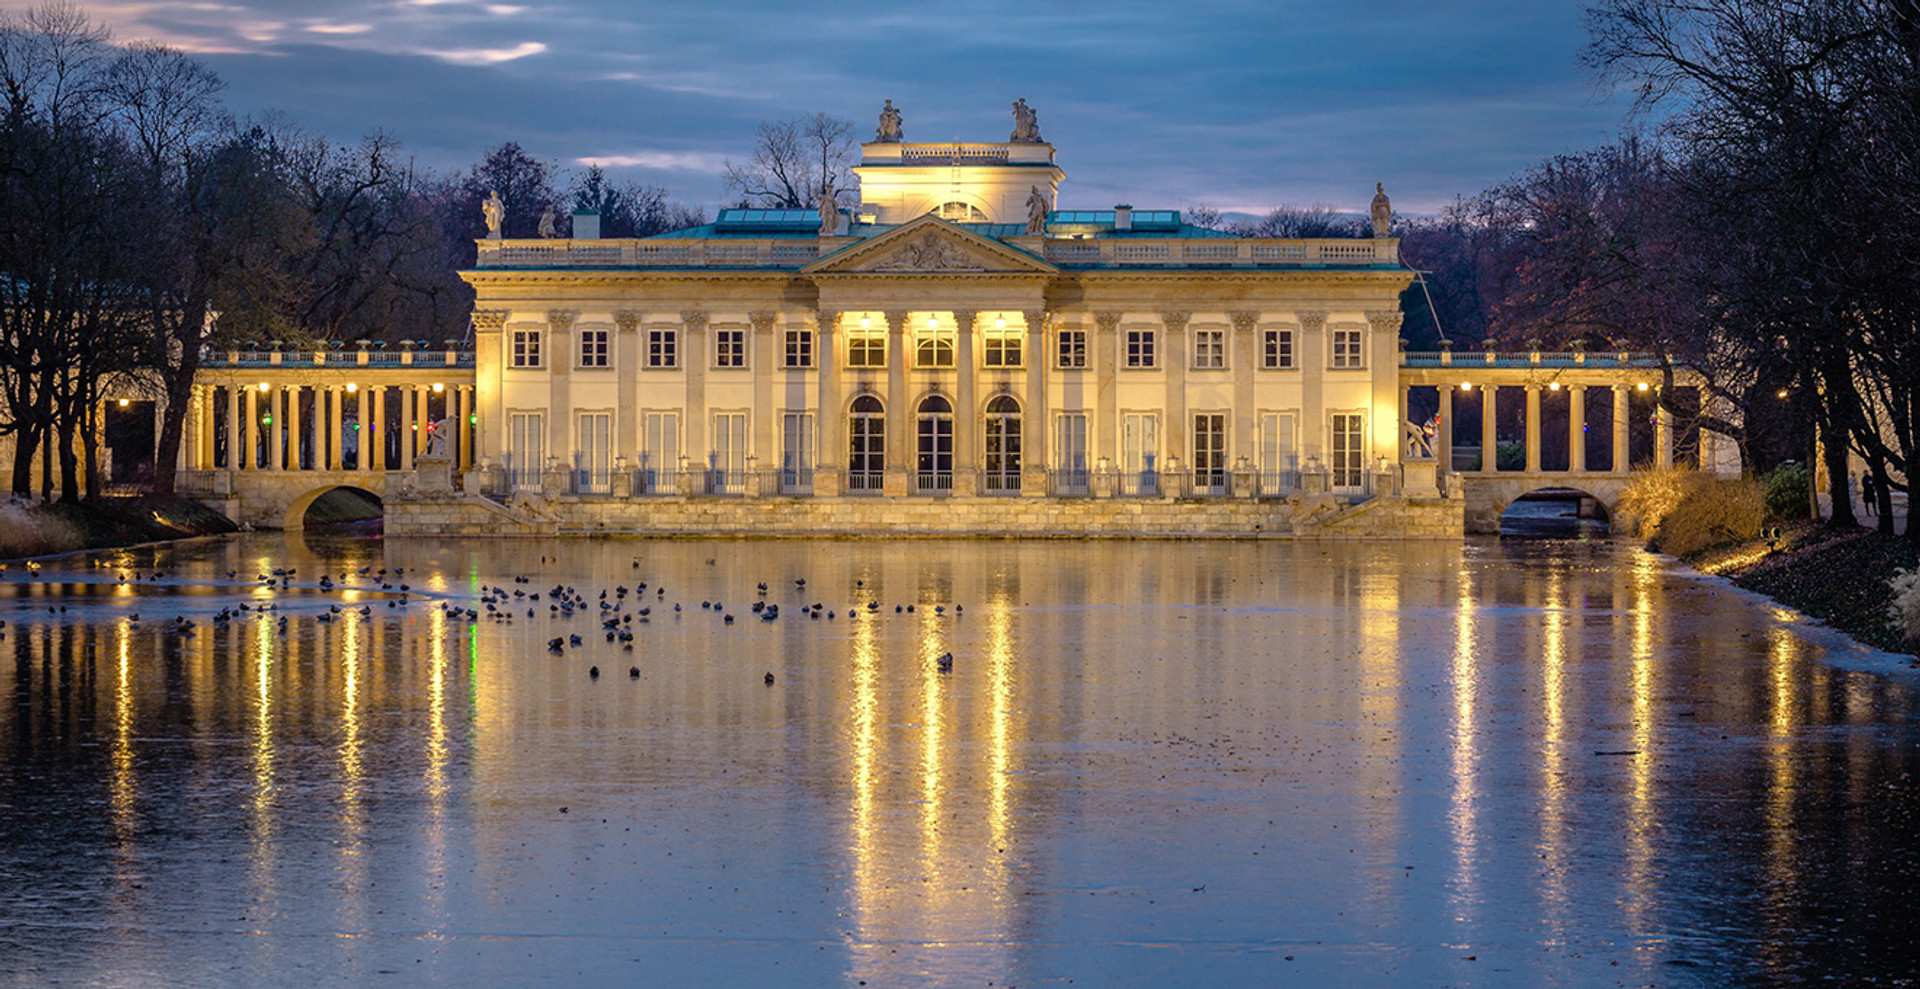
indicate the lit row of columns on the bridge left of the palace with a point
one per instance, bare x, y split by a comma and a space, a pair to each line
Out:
324, 427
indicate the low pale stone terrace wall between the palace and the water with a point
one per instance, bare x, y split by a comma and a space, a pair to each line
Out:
471, 516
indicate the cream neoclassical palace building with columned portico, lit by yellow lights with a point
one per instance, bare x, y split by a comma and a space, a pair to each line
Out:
957, 337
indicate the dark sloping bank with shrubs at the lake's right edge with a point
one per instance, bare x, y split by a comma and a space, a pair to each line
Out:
1838, 577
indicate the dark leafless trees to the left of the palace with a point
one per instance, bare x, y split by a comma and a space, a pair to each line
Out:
147, 224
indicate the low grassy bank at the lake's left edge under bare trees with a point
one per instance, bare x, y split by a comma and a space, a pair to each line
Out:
36, 531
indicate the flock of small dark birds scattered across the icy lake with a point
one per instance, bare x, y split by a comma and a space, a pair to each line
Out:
619, 610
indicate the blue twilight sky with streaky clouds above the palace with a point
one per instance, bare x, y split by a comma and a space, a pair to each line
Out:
1236, 105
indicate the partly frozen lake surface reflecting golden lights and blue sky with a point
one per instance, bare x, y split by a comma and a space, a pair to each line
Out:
1163, 763
